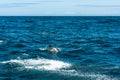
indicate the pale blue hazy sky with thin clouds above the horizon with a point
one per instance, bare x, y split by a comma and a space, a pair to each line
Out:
59, 7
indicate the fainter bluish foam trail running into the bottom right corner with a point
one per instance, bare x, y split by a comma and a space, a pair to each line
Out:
88, 76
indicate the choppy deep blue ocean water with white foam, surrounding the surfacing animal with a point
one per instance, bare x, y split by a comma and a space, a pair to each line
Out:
90, 48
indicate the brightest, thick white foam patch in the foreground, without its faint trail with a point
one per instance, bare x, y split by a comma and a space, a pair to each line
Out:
41, 64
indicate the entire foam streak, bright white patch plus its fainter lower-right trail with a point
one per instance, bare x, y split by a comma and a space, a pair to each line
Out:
56, 66
